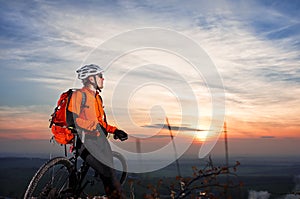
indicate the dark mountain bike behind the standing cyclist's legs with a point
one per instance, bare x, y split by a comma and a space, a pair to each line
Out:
52, 180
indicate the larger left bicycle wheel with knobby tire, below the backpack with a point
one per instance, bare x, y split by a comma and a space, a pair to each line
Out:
36, 189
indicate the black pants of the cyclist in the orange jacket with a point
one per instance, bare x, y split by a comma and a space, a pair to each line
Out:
97, 154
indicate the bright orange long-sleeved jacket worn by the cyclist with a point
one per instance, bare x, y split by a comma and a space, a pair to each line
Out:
92, 113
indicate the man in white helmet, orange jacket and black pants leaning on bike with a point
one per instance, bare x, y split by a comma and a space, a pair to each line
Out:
90, 122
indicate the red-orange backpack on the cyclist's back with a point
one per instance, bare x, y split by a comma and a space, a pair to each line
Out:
58, 122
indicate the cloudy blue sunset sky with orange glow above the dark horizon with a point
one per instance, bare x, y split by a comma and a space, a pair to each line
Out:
251, 47
